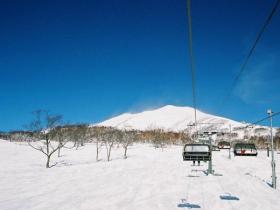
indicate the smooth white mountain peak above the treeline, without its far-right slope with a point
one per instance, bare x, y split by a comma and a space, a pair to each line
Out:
168, 117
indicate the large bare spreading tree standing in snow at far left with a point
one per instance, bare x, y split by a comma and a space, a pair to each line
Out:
44, 134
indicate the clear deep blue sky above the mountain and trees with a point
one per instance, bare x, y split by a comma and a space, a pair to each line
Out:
91, 60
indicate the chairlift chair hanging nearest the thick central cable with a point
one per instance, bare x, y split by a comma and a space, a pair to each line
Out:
196, 152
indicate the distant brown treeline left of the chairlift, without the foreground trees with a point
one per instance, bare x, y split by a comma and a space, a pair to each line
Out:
83, 133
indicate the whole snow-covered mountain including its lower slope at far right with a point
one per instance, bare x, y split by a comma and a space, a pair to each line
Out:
175, 118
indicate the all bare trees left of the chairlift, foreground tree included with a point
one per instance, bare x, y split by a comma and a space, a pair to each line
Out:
48, 134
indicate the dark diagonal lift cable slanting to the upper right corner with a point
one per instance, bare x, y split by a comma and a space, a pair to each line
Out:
258, 37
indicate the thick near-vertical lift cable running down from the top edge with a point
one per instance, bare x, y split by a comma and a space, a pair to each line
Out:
191, 54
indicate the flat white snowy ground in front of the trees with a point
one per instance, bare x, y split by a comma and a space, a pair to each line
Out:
148, 179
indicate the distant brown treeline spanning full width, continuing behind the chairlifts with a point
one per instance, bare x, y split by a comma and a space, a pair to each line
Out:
83, 133
